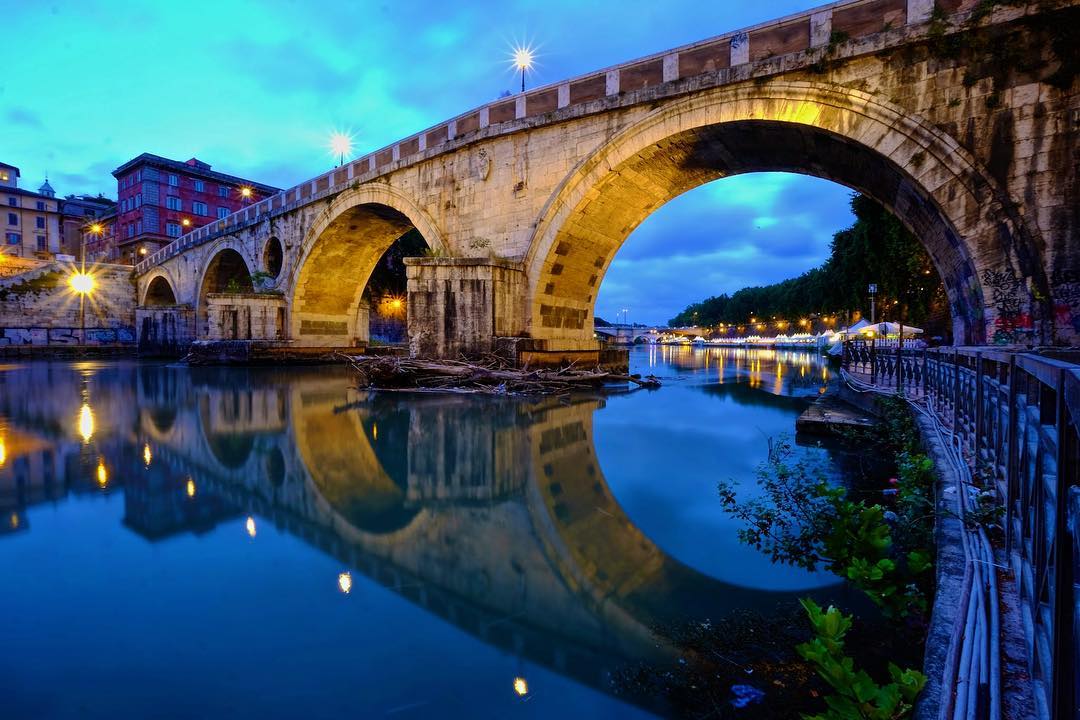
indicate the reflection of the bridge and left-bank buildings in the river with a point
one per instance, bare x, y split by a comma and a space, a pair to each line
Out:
493, 514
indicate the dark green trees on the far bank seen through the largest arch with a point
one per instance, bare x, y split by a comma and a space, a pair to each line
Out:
877, 249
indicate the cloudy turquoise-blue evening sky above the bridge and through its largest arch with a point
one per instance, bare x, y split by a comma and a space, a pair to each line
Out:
255, 89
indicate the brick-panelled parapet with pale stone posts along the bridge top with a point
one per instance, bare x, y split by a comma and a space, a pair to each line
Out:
813, 34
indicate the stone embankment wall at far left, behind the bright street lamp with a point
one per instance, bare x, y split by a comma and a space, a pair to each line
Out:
40, 315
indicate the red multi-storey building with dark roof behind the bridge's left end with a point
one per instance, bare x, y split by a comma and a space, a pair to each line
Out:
158, 200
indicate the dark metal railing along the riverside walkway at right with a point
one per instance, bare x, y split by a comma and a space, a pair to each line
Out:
1018, 418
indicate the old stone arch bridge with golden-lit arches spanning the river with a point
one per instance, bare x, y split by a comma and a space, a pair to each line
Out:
962, 118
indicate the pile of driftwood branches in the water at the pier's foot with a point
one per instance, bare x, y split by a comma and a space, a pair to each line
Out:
386, 372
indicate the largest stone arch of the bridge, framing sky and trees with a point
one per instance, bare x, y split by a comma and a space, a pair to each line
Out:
987, 255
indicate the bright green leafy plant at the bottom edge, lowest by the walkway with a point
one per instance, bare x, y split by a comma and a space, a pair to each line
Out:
858, 696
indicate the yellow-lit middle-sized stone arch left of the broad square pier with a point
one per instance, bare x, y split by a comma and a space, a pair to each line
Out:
337, 256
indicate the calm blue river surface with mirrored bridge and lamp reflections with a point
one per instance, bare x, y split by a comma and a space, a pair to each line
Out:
183, 542
